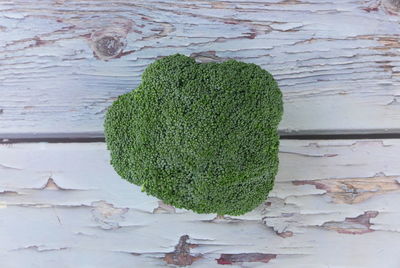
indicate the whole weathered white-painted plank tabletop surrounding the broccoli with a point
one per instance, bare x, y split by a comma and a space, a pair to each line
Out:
335, 202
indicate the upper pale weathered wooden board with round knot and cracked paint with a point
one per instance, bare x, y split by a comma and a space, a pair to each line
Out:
63, 62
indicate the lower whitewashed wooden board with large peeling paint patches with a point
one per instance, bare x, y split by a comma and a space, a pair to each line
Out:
335, 204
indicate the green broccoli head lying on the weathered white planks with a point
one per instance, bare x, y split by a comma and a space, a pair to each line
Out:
200, 136
